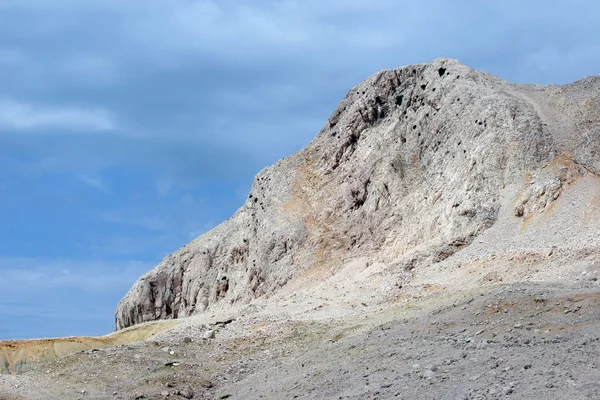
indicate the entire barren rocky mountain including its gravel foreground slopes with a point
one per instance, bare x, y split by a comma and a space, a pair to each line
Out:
438, 239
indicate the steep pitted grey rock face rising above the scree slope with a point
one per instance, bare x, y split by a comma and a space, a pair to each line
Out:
411, 166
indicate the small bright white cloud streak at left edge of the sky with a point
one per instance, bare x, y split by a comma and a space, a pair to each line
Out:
23, 117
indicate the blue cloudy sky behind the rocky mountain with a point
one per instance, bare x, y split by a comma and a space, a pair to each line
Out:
128, 128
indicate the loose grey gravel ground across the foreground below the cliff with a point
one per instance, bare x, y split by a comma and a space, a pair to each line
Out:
522, 341
